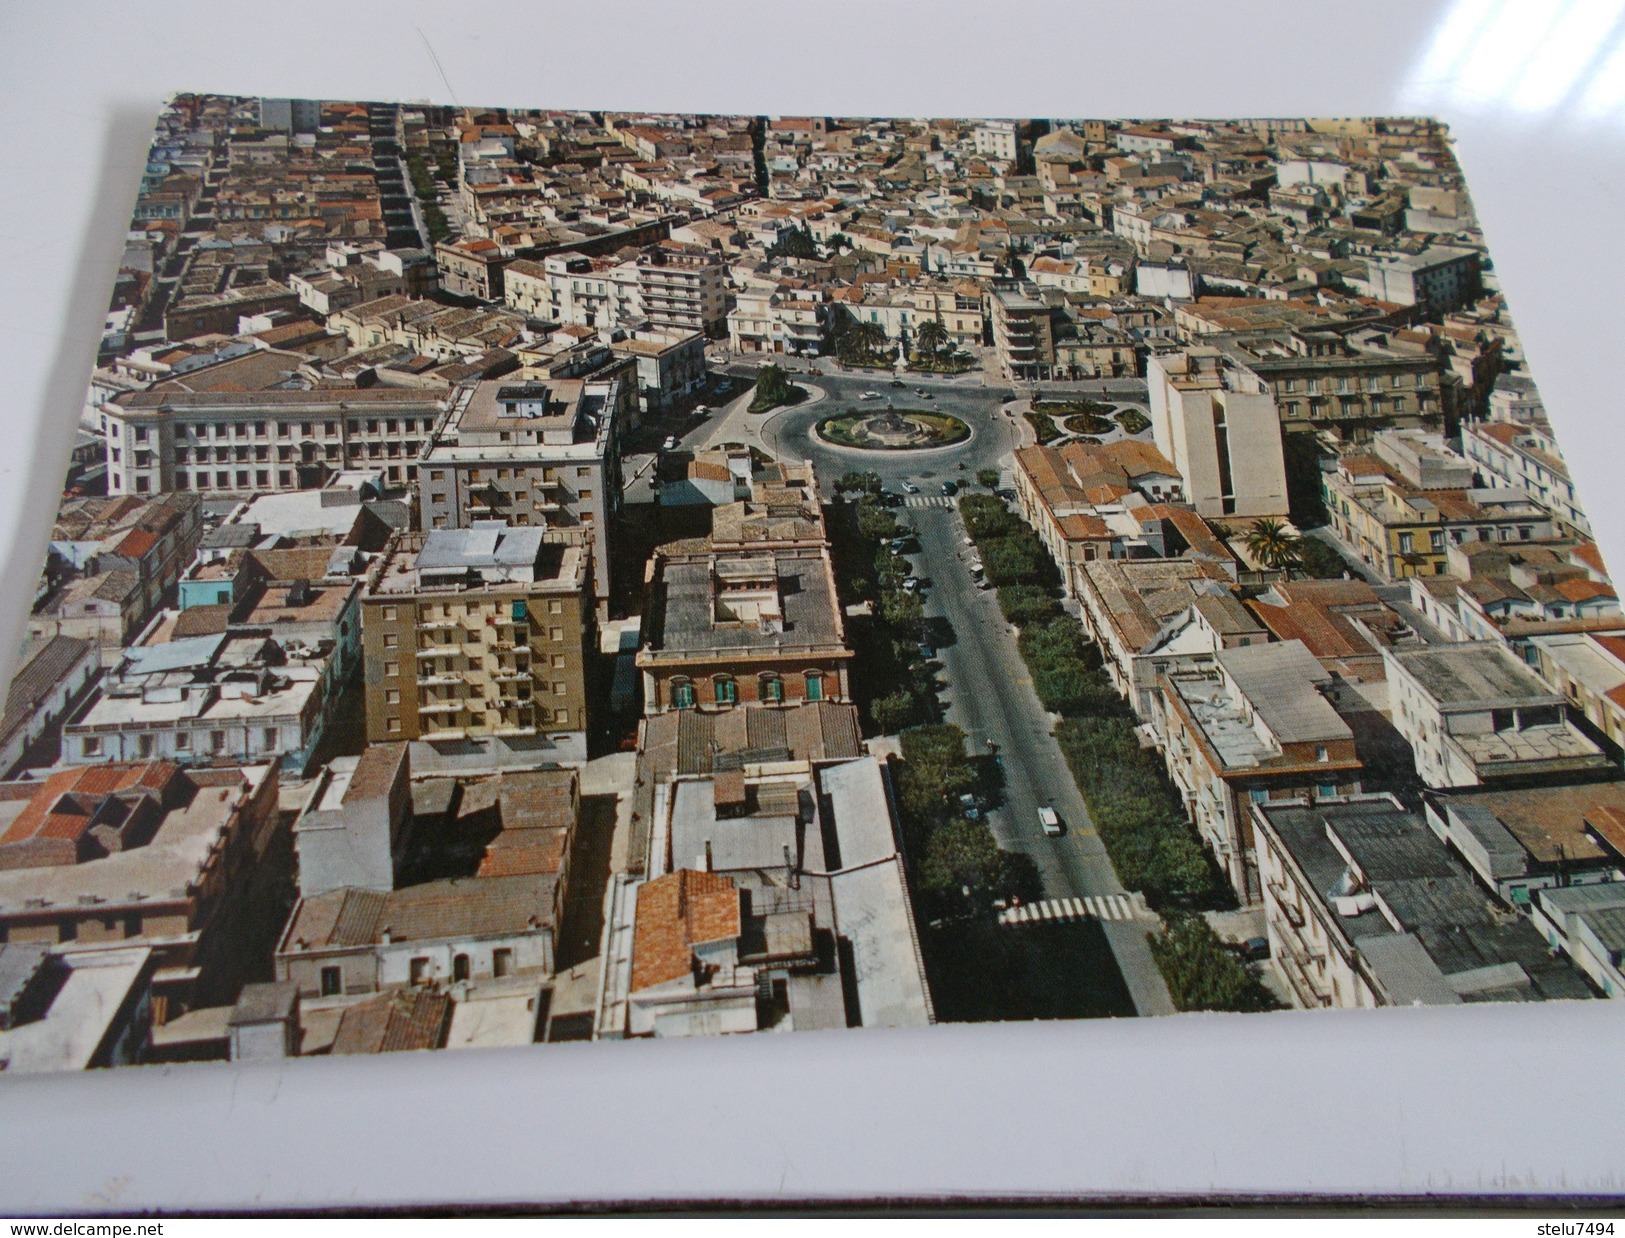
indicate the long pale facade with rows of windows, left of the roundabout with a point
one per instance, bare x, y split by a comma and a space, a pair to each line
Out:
241, 443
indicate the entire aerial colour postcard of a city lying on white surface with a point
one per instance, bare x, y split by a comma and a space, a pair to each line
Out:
558, 576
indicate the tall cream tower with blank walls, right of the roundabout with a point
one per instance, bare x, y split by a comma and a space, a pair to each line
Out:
1220, 426
